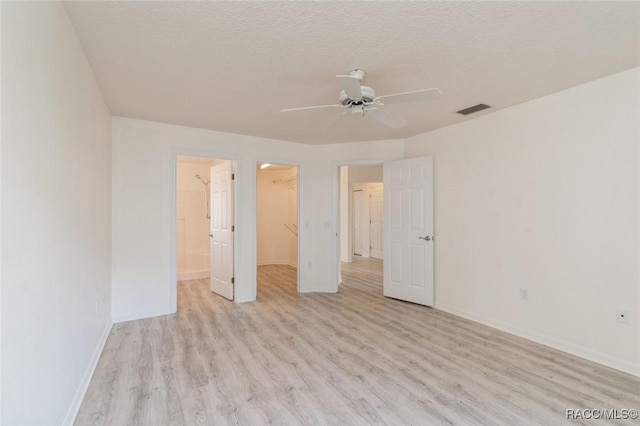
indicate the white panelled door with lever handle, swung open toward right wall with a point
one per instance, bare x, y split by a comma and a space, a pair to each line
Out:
408, 230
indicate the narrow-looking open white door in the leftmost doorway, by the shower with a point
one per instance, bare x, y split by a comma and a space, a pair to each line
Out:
221, 230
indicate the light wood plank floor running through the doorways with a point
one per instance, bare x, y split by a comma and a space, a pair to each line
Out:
352, 358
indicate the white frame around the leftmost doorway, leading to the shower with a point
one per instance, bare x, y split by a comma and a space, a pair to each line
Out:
173, 258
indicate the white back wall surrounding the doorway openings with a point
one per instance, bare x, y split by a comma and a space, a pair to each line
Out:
143, 207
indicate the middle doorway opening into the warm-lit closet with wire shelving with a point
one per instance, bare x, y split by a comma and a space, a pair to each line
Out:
277, 215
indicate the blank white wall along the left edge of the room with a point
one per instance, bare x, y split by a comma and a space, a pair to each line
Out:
56, 237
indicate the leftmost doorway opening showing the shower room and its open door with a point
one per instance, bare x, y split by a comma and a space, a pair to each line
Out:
205, 203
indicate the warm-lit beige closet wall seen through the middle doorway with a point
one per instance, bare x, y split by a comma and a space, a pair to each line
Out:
276, 206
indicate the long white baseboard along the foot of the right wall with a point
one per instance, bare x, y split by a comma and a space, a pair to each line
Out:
577, 350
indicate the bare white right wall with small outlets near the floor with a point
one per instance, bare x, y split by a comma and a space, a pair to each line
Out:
544, 196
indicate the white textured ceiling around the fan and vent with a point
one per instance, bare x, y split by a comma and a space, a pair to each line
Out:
231, 66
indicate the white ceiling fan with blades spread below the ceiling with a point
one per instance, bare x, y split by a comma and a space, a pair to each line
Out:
362, 100
